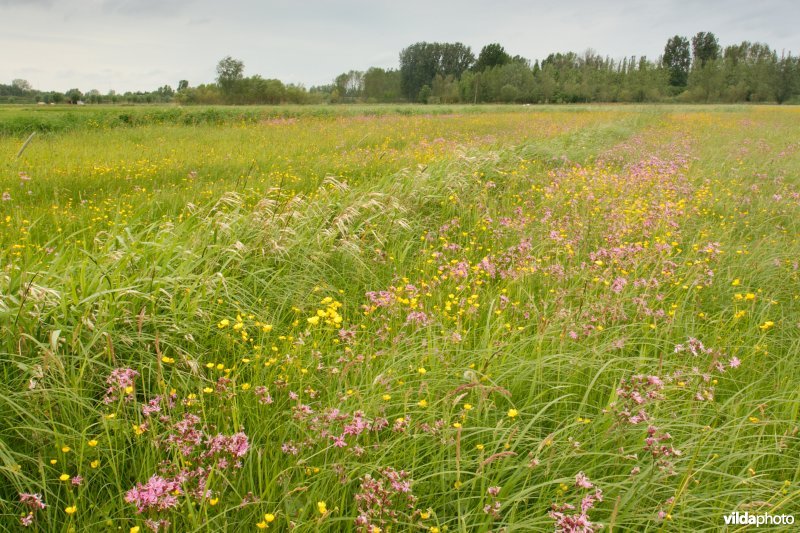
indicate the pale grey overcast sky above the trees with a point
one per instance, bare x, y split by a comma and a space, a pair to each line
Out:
144, 44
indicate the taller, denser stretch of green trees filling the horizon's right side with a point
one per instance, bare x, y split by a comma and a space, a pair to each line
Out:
696, 70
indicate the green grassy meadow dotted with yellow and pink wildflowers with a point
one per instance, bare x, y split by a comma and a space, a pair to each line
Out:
516, 319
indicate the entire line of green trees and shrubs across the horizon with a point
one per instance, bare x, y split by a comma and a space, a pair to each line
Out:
689, 70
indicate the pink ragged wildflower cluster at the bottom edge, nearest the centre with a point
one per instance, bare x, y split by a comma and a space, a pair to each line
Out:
380, 500
